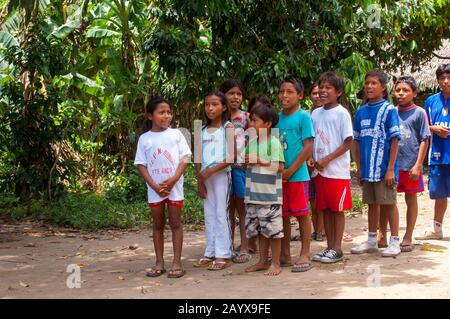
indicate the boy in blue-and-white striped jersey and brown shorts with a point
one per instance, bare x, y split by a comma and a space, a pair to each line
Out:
376, 133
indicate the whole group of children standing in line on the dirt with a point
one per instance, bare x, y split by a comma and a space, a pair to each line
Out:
264, 163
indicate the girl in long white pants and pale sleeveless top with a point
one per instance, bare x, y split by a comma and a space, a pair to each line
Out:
214, 181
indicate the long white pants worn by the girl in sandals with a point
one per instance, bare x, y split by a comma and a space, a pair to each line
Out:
217, 221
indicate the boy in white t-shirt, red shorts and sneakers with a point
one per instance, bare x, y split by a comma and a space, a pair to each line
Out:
334, 135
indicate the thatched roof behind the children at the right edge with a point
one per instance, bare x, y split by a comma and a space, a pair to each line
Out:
426, 75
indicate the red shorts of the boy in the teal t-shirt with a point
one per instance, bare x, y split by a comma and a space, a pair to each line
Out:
295, 199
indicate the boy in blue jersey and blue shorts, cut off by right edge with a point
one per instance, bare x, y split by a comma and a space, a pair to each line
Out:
436, 107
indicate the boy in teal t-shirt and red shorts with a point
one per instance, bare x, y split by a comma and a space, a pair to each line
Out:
297, 136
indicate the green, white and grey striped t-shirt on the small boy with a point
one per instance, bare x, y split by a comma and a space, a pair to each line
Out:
263, 184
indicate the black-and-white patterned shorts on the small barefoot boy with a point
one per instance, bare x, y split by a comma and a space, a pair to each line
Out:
265, 220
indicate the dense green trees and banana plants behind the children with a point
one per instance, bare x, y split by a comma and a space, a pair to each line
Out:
75, 77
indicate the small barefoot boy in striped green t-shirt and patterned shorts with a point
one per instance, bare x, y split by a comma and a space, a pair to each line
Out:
263, 194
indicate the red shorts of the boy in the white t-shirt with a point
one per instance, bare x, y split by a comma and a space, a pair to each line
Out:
332, 194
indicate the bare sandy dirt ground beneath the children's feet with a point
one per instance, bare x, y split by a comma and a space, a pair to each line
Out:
34, 261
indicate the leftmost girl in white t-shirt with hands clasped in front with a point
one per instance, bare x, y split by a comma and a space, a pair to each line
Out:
161, 158
